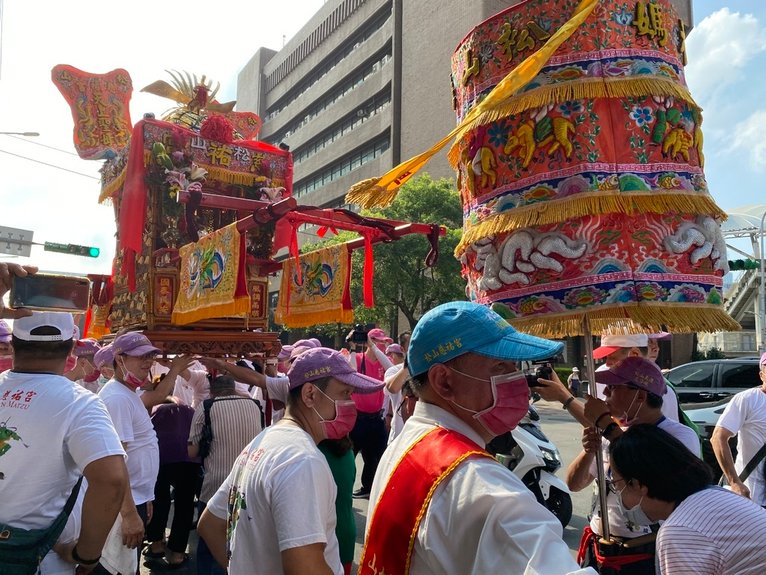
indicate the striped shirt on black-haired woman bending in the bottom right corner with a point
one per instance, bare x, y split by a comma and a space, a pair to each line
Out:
713, 532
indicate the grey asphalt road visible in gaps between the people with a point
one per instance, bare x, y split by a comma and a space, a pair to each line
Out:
557, 424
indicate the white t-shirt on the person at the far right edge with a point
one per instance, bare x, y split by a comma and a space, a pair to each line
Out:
745, 415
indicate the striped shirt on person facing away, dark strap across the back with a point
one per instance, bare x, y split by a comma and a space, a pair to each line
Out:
235, 421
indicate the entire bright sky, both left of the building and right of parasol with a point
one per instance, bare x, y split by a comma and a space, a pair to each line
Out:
726, 53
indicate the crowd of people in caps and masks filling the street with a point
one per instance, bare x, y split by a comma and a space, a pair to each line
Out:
98, 443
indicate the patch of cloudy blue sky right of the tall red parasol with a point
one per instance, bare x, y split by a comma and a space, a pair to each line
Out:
727, 56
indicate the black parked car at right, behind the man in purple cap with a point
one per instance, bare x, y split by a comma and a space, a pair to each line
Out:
714, 379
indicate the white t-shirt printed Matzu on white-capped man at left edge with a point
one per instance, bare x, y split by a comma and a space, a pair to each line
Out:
54, 428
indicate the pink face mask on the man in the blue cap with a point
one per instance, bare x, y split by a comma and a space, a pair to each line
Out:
511, 402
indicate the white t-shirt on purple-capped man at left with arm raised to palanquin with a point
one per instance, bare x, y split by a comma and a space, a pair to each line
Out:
134, 428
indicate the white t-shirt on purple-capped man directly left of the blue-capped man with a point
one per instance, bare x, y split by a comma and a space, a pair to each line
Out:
283, 496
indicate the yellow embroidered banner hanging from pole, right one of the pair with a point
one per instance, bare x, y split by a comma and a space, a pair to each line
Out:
320, 292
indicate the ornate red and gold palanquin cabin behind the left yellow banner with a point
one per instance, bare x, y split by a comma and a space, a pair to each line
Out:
168, 161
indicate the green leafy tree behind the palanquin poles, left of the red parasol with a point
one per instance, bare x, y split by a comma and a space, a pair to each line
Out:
402, 282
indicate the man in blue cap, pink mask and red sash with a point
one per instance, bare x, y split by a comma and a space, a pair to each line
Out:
440, 503
